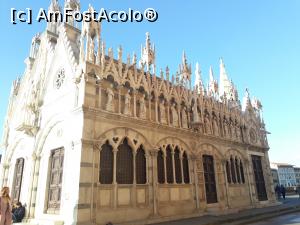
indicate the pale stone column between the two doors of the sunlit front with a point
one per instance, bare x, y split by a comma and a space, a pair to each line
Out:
37, 159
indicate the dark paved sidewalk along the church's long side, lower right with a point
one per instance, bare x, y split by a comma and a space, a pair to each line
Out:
289, 205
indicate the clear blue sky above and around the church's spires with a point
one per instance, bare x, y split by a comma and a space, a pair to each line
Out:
258, 40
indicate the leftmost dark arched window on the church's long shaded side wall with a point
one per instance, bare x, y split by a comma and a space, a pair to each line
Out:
106, 164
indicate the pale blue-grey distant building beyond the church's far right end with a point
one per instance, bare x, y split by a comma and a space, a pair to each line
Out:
286, 174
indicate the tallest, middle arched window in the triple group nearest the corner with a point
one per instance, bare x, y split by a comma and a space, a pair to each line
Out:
124, 164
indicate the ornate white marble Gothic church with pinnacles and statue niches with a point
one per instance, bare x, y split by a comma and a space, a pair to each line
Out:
91, 139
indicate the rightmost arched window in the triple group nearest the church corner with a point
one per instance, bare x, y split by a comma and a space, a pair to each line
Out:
140, 168
